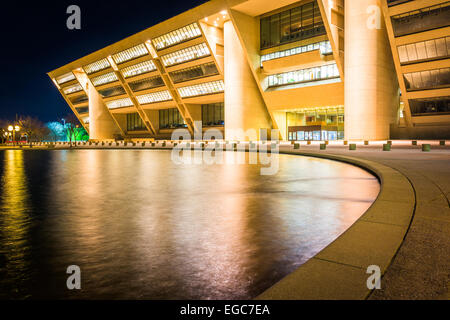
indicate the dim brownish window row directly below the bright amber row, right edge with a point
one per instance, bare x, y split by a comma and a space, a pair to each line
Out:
429, 79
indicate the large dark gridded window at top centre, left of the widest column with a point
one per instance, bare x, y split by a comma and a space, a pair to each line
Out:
292, 25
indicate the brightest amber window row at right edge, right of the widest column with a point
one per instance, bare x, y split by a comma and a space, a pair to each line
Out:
424, 50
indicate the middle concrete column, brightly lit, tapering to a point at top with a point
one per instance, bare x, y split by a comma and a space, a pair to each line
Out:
244, 106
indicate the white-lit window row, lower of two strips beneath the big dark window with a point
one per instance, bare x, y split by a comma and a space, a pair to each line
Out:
306, 75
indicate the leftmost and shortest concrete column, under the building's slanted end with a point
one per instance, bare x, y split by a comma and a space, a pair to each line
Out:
101, 123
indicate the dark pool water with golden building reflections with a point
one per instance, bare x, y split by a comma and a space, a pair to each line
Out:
141, 227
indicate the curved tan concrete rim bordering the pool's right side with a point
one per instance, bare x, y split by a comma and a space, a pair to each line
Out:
339, 272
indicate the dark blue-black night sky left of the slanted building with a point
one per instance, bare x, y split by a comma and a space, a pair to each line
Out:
35, 40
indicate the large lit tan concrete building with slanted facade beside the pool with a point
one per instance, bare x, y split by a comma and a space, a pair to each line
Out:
314, 70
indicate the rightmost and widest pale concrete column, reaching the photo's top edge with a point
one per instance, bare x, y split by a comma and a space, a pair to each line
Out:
371, 87
